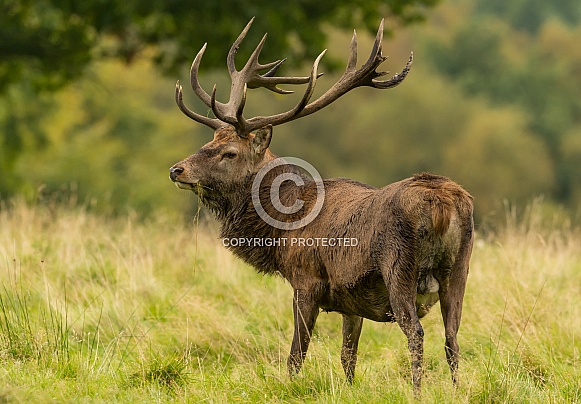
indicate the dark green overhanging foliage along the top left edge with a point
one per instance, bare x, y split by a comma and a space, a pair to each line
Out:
51, 41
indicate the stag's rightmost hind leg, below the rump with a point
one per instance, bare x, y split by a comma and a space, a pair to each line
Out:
451, 297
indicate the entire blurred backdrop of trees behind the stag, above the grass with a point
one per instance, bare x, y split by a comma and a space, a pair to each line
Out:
492, 100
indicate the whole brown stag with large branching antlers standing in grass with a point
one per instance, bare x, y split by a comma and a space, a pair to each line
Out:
405, 246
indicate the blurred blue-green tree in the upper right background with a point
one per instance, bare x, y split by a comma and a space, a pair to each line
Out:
531, 71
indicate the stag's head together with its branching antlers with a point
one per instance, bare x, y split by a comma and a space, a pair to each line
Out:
240, 146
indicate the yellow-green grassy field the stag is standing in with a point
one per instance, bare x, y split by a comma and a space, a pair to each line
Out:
96, 309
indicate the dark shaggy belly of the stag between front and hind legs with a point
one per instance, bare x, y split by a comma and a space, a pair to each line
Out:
366, 298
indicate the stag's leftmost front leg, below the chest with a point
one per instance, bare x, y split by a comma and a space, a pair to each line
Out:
305, 310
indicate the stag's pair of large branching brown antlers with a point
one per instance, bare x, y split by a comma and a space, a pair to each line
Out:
250, 77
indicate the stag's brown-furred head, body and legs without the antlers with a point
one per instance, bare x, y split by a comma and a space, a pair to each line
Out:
414, 239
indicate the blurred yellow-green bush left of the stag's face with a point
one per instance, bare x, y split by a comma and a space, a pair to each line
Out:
107, 143
